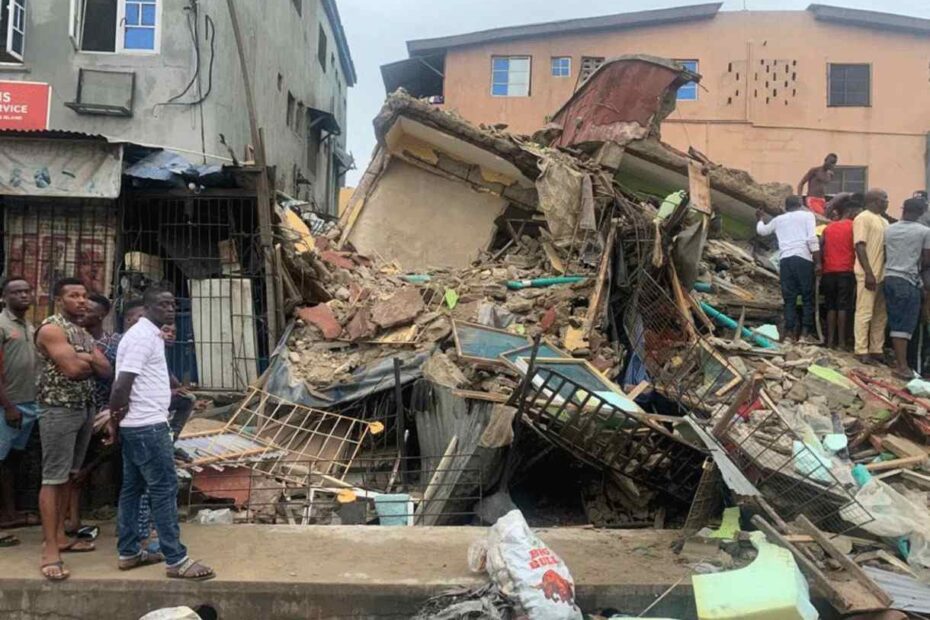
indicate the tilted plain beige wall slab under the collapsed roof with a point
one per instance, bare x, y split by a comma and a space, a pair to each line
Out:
410, 210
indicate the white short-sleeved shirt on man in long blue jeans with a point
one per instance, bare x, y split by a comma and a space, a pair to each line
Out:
141, 352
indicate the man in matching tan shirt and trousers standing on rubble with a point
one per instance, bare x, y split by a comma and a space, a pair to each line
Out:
869, 237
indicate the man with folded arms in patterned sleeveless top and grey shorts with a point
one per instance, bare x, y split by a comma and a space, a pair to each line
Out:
65, 389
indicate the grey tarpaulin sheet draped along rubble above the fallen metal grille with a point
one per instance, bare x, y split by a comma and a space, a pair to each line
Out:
371, 379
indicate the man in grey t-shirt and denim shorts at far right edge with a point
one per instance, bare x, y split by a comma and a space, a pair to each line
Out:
907, 253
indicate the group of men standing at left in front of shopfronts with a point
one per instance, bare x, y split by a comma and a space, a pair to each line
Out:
90, 390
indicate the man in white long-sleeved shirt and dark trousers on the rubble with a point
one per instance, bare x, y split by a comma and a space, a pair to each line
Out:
799, 262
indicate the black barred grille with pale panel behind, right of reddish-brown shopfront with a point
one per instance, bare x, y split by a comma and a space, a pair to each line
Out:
205, 249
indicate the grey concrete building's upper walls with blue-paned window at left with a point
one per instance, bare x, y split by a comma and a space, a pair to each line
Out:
166, 73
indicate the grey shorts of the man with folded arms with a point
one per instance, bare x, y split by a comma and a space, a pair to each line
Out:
65, 433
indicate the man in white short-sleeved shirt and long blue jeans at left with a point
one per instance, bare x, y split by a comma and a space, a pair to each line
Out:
139, 405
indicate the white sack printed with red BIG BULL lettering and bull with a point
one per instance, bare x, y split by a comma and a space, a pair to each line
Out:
528, 572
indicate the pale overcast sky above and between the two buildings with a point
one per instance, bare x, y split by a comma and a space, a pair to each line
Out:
379, 29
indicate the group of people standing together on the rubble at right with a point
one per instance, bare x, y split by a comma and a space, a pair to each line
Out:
866, 265
